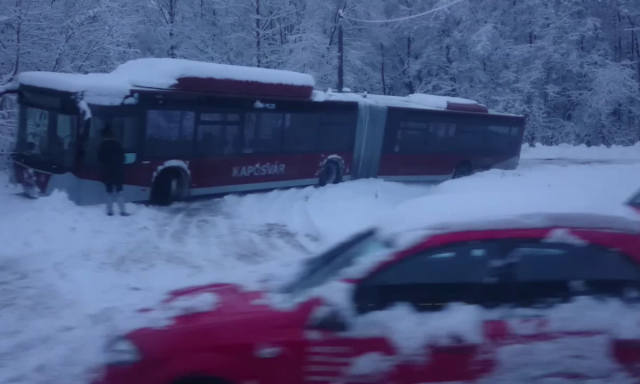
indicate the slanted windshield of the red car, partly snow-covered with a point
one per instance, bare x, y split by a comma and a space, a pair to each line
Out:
325, 267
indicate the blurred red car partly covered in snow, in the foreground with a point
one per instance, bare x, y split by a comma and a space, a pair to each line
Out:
526, 299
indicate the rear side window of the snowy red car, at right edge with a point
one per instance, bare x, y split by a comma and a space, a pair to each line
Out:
546, 274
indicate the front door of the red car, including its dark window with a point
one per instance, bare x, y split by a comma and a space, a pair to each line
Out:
441, 310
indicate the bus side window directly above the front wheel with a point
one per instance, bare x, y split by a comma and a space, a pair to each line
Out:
170, 134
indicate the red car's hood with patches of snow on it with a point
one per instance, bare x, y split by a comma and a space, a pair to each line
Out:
216, 314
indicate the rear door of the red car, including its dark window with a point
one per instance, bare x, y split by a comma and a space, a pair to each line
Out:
571, 304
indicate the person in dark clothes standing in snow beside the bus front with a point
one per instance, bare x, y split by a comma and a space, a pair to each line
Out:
111, 158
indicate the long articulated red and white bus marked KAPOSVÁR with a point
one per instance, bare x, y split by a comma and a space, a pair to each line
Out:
193, 129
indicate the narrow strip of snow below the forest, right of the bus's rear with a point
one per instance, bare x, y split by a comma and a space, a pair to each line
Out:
581, 152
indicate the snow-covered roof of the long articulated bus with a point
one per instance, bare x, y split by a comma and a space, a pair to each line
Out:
178, 75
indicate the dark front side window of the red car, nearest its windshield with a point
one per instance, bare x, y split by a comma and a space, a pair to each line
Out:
430, 279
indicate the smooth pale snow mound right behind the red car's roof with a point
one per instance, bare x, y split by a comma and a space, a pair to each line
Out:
496, 197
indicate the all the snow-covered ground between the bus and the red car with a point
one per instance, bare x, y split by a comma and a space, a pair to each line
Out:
71, 276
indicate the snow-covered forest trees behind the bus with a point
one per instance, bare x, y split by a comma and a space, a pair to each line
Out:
572, 66
